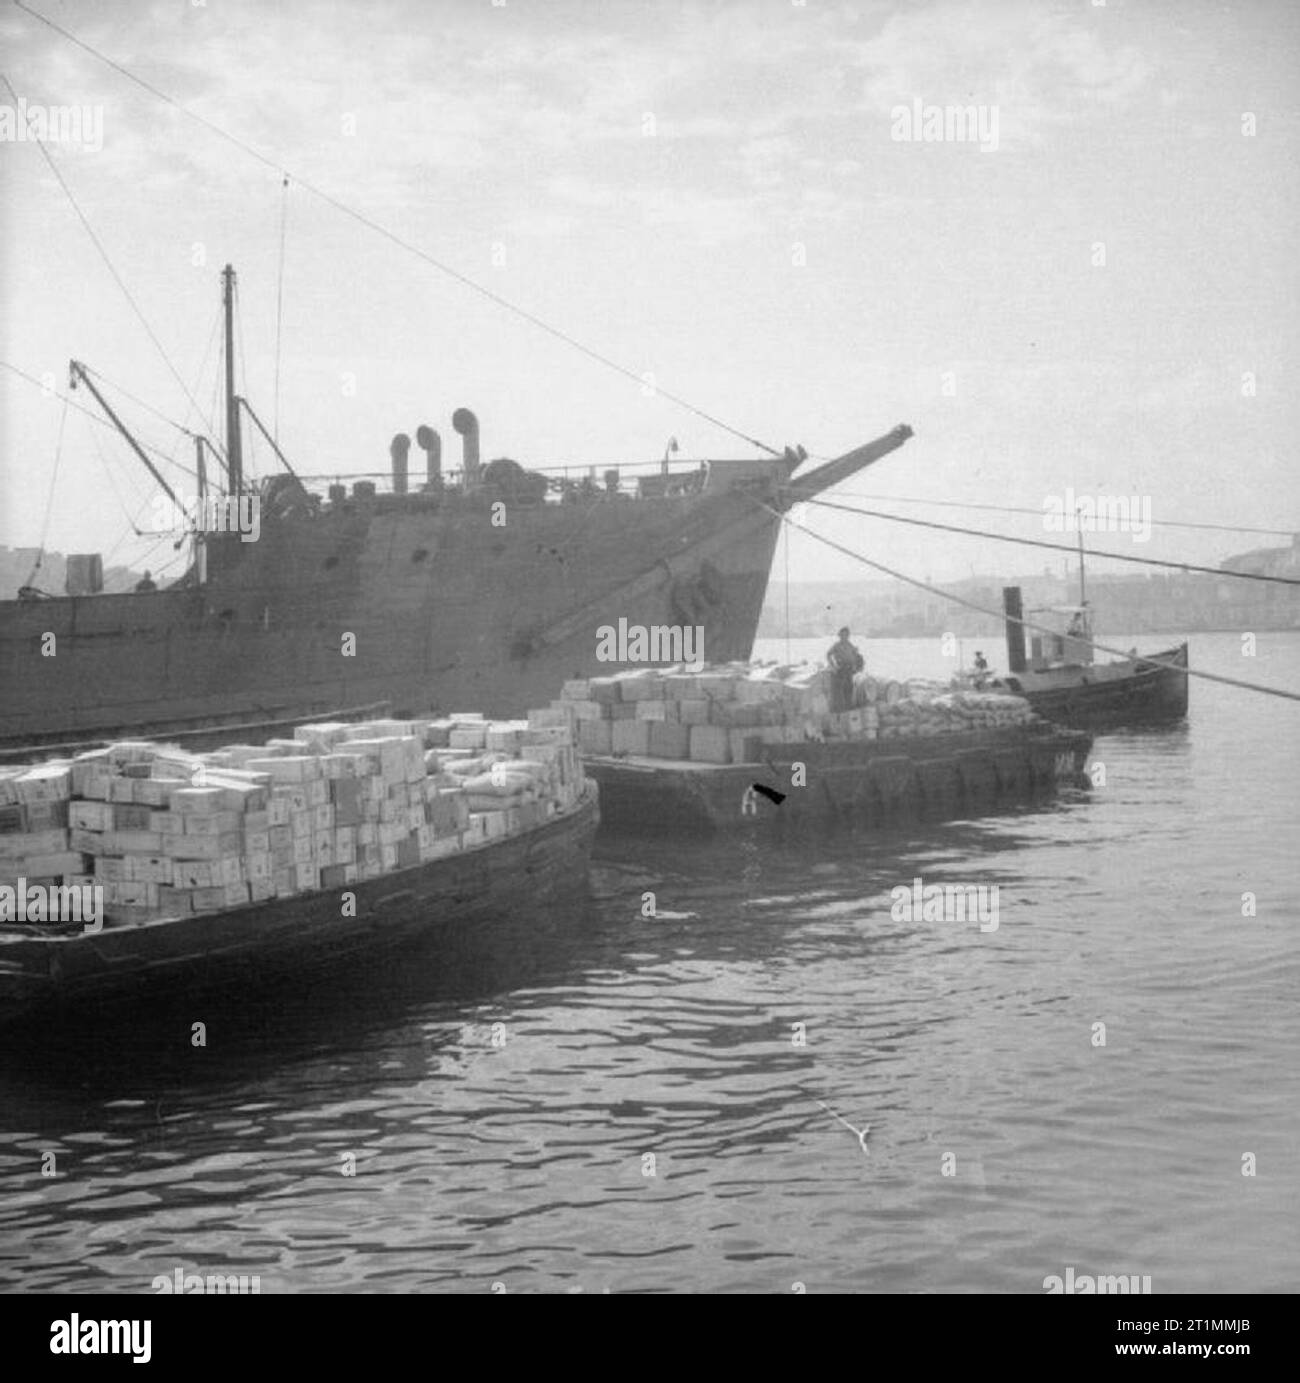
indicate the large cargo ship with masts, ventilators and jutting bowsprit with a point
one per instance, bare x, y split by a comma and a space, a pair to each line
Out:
481, 586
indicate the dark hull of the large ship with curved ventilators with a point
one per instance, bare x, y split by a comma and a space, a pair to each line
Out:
424, 609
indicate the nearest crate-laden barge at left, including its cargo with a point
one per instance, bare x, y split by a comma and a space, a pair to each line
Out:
140, 866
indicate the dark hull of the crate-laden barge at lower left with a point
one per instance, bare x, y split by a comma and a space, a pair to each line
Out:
265, 944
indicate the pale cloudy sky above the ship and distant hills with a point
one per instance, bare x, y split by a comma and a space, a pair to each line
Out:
710, 193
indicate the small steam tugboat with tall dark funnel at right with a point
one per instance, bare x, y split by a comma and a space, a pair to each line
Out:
1064, 684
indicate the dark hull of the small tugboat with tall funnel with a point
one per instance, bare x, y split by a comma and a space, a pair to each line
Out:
1113, 695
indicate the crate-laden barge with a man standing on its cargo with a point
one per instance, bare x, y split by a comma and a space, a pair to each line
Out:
739, 745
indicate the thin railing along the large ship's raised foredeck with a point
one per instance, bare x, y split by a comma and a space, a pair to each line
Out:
565, 485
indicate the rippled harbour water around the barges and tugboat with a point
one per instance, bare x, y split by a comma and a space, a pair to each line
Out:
612, 1102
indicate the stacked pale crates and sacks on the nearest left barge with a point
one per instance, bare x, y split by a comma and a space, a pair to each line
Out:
168, 833
